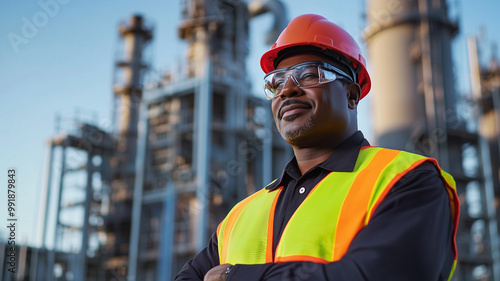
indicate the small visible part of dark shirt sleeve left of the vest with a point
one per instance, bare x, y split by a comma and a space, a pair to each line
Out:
196, 268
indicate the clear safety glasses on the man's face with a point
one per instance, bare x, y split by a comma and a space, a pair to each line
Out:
304, 75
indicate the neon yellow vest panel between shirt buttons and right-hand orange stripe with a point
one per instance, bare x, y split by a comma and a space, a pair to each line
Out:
324, 202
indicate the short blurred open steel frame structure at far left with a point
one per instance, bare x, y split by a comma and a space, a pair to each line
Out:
81, 171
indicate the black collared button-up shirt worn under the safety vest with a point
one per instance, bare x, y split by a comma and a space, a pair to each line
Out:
408, 238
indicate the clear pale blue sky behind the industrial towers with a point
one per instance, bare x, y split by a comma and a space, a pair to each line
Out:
66, 63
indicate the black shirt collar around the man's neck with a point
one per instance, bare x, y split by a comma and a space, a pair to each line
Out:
343, 159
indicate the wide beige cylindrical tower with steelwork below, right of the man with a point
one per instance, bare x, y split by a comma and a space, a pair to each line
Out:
416, 108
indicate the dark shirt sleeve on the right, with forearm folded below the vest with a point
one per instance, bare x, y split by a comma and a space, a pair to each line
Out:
409, 237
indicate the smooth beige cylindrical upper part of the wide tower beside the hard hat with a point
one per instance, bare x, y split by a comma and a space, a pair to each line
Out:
409, 48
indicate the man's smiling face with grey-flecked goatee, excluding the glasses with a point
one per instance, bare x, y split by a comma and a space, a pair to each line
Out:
315, 116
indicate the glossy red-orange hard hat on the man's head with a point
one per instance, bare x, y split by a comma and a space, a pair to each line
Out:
317, 31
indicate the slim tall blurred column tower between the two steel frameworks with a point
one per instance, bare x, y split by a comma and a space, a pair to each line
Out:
135, 35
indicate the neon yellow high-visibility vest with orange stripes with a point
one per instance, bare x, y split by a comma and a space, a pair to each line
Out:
345, 200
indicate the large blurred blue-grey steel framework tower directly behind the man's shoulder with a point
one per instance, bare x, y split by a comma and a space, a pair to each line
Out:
204, 142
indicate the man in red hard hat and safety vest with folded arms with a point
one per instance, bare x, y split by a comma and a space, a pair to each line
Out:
341, 210
